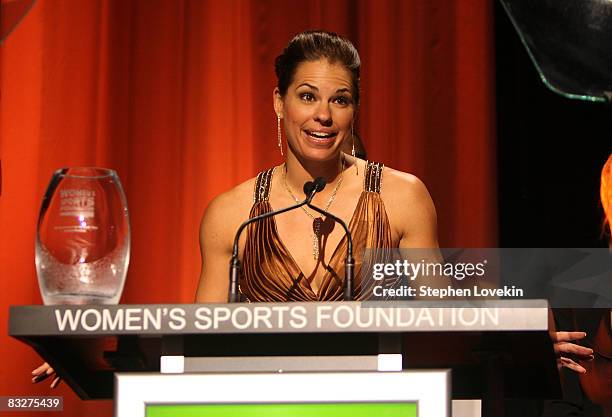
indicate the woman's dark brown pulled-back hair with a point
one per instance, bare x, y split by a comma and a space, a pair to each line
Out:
313, 45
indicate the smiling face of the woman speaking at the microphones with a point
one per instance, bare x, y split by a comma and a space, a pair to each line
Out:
317, 109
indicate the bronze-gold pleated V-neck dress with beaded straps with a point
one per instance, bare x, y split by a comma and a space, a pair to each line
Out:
271, 274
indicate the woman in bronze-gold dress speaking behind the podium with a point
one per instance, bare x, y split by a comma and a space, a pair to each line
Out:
298, 256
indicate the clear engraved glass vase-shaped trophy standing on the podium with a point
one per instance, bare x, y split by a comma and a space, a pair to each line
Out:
83, 238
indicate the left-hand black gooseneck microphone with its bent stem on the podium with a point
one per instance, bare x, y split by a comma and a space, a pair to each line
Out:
310, 189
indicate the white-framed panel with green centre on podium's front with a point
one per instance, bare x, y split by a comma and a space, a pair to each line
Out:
423, 393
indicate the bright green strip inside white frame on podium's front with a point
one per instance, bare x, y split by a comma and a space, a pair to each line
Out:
285, 410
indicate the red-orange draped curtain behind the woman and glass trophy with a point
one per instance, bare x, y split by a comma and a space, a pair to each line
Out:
177, 97
